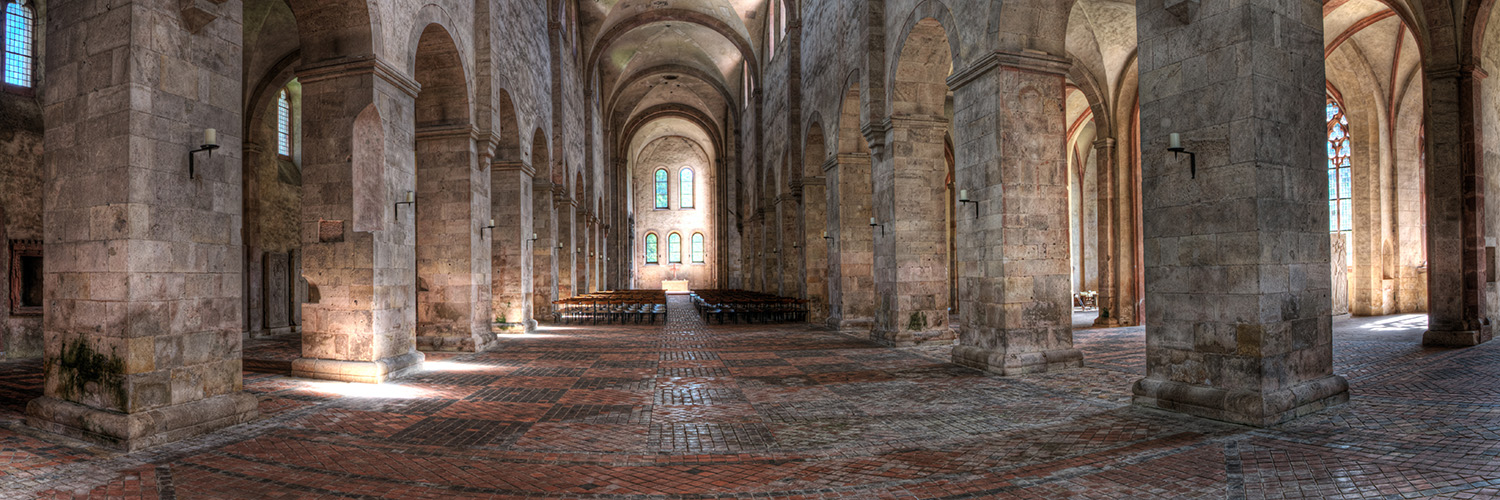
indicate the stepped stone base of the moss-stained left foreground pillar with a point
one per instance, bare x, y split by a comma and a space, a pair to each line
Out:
136, 432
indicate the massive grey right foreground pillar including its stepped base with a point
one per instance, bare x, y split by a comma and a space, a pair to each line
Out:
1238, 276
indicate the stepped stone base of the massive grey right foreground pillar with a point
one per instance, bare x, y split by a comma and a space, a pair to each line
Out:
1247, 408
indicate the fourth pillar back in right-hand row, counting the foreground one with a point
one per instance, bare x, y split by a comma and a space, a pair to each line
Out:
853, 245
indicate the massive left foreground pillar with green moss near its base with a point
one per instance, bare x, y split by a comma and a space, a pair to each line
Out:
143, 264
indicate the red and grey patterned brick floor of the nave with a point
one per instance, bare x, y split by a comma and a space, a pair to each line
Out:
685, 411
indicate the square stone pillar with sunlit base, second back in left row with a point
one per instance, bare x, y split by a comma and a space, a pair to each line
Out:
359, 248
